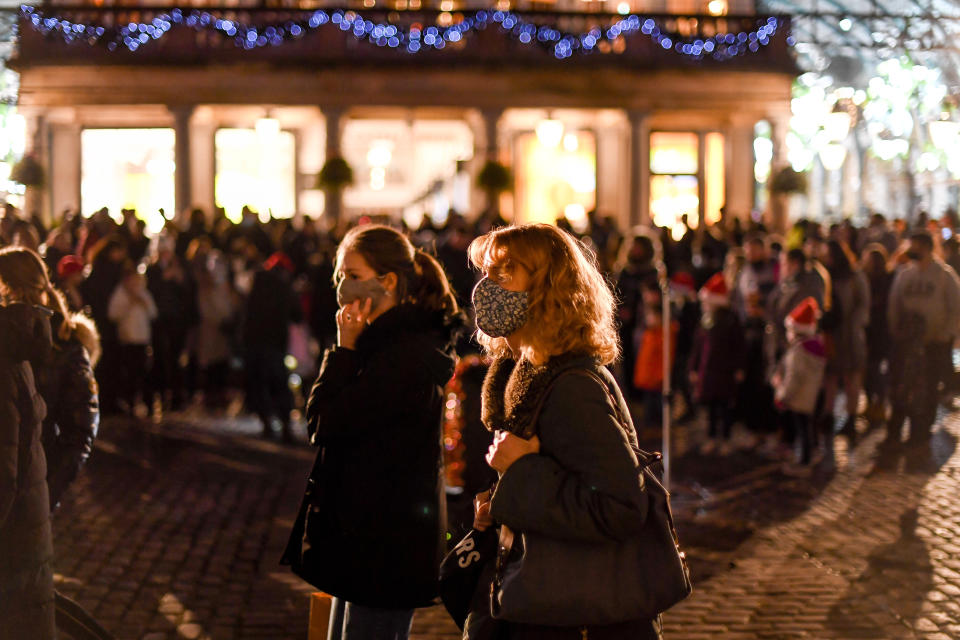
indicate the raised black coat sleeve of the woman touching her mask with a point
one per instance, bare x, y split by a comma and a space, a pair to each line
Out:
353, 399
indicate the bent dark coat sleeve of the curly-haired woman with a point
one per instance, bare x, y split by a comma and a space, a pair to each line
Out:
584, 484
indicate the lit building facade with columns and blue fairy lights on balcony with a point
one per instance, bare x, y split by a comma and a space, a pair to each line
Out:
226, 105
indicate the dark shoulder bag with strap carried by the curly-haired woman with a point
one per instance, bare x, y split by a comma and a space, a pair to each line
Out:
545, 581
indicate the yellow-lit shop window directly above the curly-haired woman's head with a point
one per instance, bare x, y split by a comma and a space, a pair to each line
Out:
557, 175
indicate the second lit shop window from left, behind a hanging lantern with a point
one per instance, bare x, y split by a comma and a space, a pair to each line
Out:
256, 168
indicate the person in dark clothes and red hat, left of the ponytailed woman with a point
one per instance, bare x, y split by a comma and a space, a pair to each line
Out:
271, 307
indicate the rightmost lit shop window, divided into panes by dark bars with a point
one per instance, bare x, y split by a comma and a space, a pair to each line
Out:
676, 172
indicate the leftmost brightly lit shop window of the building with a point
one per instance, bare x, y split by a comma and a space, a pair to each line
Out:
128, 169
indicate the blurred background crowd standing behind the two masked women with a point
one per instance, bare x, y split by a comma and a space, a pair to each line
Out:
208, 306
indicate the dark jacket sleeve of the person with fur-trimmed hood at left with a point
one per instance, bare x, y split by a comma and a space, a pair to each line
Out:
77, 420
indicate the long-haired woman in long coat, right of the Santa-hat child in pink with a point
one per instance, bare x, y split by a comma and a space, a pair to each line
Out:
845, 327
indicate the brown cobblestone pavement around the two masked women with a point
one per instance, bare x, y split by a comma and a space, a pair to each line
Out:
174, 531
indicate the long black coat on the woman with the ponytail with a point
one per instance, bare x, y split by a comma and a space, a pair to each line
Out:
372, 524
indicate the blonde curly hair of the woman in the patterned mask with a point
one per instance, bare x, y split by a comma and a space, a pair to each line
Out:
571, 305
